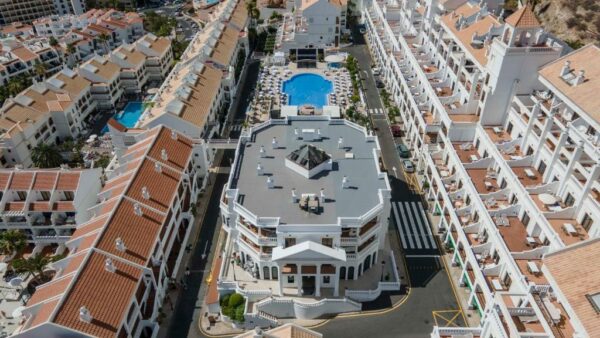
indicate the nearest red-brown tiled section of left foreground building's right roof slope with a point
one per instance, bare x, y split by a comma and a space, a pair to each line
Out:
93, 286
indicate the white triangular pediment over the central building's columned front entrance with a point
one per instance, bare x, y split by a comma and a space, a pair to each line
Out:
309, 251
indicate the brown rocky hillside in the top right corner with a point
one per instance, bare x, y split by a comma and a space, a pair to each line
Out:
575, 21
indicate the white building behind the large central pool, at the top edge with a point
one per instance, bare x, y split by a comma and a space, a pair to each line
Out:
313, 24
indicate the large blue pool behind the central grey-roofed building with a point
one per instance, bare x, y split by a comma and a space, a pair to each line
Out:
307, 88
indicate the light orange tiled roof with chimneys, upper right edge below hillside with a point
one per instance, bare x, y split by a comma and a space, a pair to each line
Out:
584, 95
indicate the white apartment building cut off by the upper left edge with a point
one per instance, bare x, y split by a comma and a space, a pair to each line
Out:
20, 57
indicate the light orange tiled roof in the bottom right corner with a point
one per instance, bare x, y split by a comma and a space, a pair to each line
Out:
576, 278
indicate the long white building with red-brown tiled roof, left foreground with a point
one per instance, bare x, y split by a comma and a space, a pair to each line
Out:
120, 262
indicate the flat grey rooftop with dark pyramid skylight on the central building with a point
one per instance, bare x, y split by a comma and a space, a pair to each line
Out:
357, 160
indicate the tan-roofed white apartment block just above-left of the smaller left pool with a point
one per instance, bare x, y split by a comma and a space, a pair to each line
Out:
104, 75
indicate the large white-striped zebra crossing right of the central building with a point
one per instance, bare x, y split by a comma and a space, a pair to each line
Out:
413, 226
